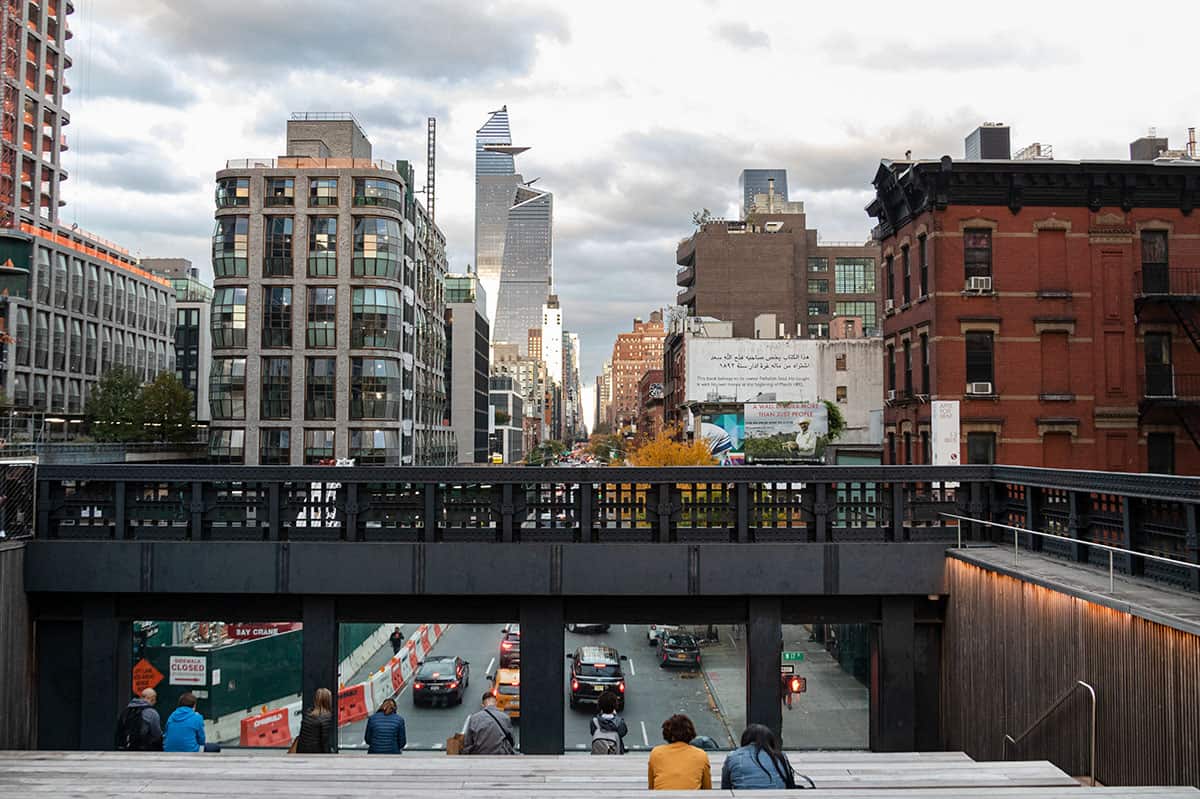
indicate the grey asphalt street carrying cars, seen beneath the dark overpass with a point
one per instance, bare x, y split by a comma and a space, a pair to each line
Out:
652, 694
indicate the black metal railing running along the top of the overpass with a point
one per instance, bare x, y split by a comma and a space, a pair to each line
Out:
1150, 514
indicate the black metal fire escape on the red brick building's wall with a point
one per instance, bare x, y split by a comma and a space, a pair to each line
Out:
1172, 296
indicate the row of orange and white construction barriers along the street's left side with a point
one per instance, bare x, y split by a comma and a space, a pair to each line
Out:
356, 702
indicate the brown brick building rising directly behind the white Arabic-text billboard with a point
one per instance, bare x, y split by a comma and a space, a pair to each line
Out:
806, 285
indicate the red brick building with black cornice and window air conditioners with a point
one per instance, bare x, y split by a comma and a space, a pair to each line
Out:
1058, 302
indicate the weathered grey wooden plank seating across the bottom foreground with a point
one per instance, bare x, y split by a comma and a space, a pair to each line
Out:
267, 774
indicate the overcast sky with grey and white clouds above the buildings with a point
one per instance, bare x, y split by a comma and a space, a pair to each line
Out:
638, 113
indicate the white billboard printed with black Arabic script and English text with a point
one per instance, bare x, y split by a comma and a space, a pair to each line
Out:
737, 370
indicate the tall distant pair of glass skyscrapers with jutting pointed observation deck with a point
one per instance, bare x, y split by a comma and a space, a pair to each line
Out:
514, 225
